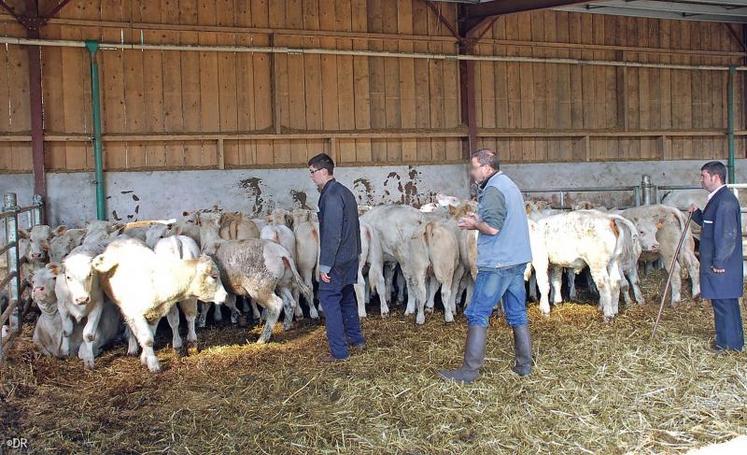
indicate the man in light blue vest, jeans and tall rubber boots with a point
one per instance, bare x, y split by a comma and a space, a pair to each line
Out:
502, 254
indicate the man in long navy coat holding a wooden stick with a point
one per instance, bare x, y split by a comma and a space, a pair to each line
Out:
721, 278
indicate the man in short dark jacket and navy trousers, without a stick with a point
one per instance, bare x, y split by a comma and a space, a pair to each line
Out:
340, 246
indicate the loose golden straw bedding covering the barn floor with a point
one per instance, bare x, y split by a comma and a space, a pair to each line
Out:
596, 388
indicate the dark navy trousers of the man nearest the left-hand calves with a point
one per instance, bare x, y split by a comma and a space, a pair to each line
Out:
340, 317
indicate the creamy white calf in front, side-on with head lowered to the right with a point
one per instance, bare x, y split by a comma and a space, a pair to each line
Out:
145, 286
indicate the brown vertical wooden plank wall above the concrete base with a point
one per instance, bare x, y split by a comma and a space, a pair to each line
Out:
177, 109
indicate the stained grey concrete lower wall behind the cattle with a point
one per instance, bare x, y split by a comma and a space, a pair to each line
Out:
167, 194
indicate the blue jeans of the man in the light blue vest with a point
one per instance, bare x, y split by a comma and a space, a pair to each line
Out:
490, 286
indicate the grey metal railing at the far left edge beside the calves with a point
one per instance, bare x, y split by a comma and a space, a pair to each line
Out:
13, 312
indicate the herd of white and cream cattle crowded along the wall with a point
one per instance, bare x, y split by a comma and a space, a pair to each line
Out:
98, 284
